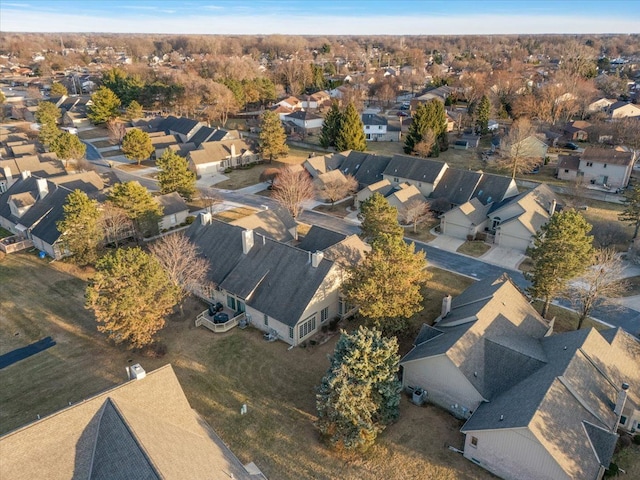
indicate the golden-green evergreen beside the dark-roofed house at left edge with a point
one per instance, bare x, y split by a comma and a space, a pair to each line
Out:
80, 228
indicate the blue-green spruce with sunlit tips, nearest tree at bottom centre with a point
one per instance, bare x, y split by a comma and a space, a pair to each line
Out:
360, 393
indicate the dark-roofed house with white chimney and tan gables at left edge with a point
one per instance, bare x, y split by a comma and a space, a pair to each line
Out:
31, 207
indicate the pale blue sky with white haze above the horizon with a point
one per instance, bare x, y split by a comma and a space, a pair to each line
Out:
318, 17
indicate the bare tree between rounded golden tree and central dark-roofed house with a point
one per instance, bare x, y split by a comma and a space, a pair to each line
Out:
179, 258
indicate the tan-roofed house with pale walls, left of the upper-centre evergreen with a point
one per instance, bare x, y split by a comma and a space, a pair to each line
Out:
214, 157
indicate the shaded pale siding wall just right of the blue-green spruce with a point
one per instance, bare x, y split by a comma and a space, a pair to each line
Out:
445, 384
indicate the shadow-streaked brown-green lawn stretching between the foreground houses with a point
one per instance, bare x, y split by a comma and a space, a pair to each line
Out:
218, 373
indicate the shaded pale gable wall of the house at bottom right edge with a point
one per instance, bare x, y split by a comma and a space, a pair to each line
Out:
513, 454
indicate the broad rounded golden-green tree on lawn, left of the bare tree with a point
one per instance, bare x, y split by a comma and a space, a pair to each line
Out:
130, 295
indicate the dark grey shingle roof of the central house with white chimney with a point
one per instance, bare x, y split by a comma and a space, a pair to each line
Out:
274, 278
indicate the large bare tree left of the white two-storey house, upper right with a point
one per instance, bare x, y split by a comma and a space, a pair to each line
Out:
516, 150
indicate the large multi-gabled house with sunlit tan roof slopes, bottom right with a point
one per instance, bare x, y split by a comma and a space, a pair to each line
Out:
538, 406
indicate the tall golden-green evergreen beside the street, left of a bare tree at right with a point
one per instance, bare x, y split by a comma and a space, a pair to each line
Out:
562, 250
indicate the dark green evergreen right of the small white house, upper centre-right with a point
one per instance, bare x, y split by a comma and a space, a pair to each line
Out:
431, 117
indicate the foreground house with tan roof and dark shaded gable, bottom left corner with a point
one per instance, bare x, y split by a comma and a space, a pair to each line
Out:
144, 428
